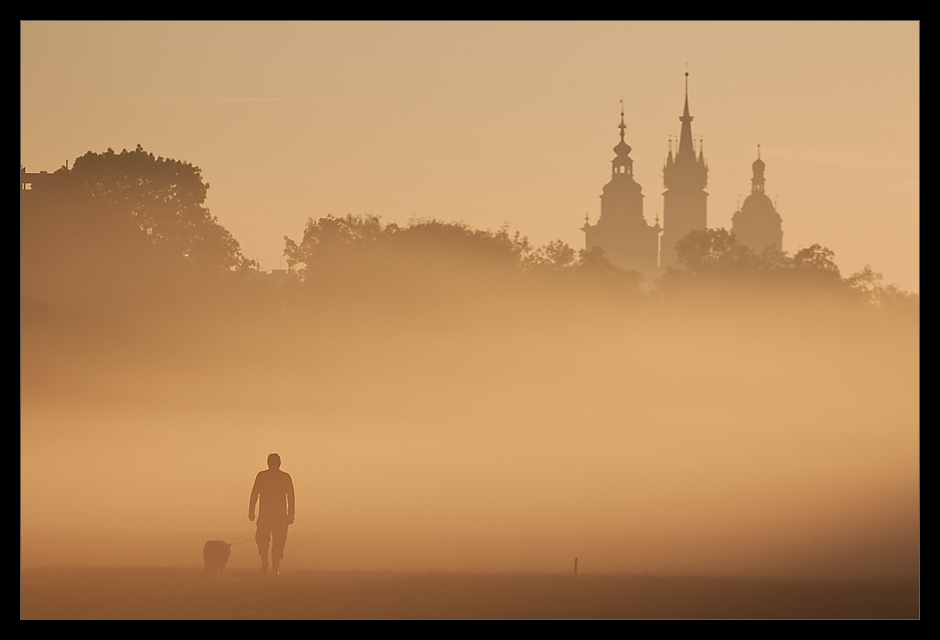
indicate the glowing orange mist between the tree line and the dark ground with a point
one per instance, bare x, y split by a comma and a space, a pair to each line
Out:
443, 396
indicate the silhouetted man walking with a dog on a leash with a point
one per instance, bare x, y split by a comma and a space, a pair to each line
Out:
275, 512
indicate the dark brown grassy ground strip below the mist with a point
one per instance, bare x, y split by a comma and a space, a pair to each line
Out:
185, 593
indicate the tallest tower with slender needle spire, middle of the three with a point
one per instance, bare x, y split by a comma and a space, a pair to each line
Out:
684, 177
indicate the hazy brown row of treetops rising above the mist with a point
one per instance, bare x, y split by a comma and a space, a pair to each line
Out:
132, 215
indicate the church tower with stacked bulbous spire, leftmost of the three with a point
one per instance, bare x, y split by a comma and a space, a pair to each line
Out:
622, 232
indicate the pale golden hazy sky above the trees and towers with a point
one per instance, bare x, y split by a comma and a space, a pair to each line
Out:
496, 122
